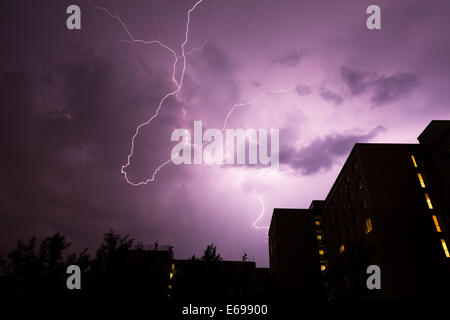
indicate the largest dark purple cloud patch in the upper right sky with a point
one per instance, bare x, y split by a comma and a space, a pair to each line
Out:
384, 89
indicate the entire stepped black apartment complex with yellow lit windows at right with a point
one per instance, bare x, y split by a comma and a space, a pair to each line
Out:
389, 207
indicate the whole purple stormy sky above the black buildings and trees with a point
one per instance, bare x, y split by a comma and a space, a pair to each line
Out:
71, 101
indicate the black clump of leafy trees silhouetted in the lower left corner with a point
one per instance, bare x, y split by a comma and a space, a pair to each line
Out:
31, 273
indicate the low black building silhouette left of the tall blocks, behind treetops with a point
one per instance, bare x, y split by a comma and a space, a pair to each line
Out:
153, 275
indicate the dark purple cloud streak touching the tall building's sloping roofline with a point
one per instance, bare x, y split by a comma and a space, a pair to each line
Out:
321, 153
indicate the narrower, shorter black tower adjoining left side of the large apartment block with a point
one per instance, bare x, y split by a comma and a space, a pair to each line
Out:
297, 253
